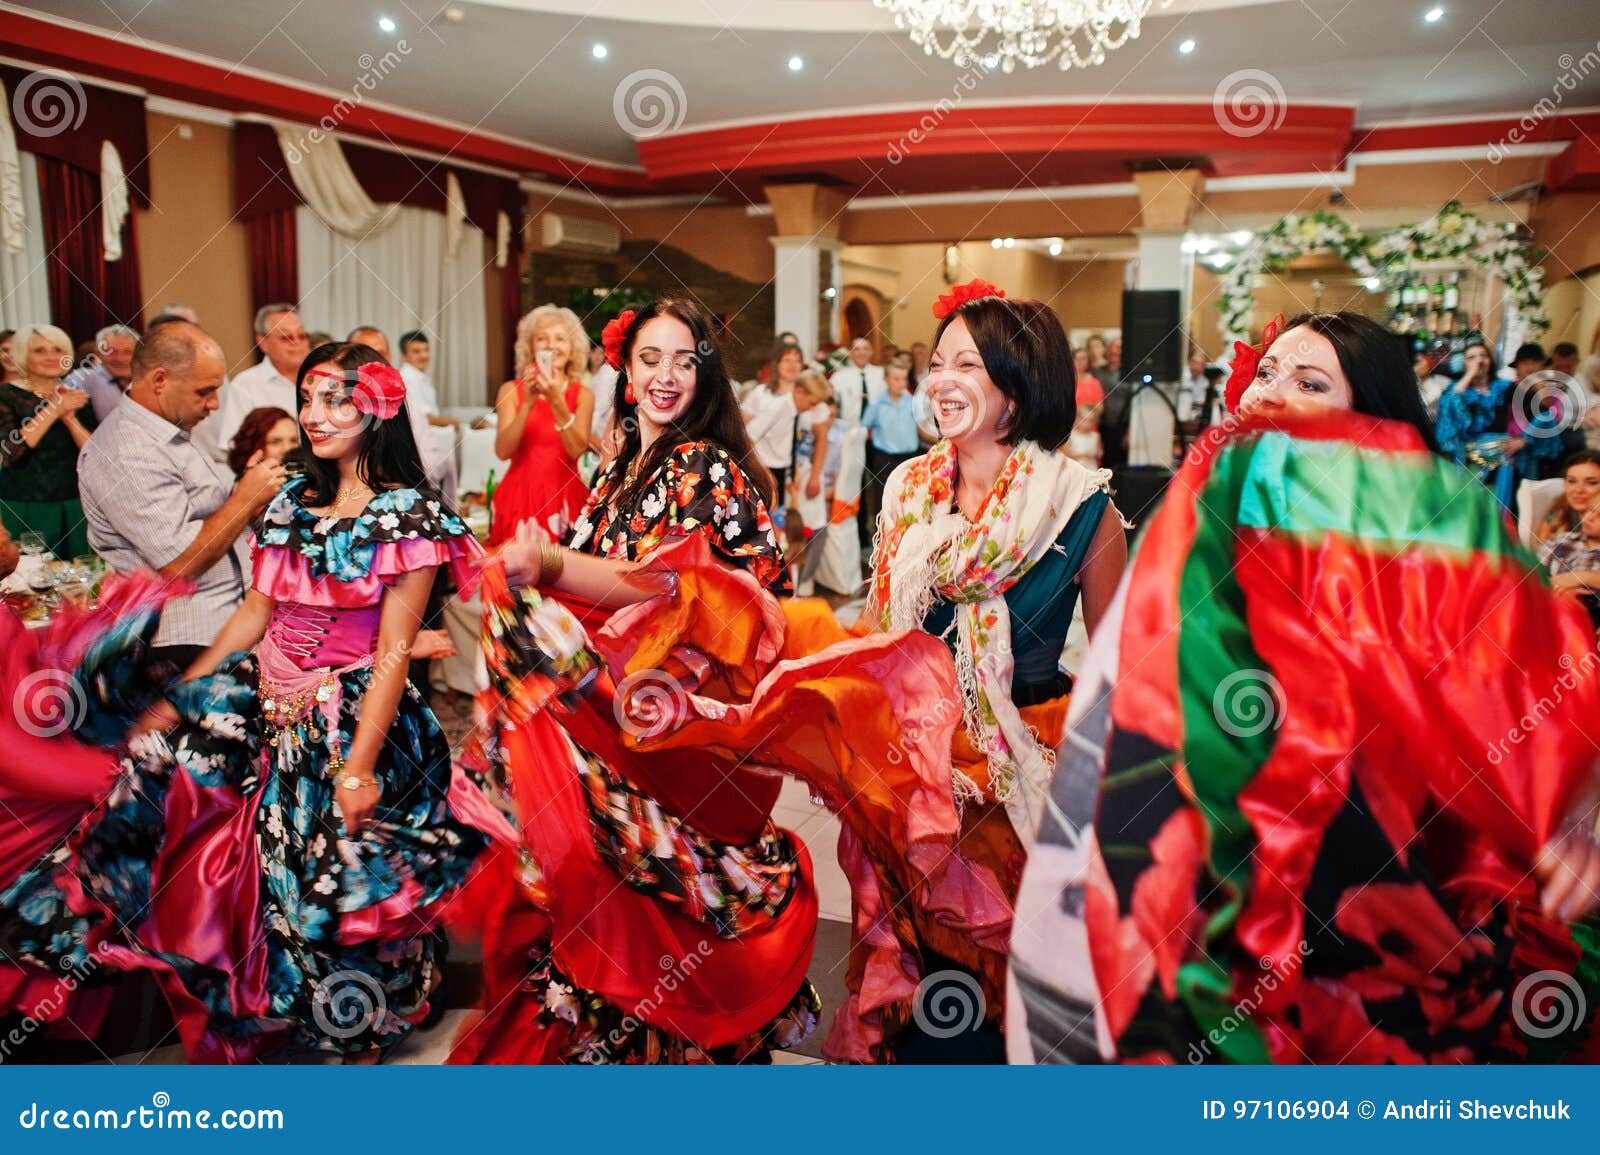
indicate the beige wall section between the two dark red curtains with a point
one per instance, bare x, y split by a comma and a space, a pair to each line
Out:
191, 249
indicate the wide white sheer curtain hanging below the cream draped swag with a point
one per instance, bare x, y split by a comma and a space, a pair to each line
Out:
402, 279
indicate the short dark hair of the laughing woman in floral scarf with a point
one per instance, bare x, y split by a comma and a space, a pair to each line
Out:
1028, 358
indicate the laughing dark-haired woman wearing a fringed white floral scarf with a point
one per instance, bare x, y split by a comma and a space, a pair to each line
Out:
986, 542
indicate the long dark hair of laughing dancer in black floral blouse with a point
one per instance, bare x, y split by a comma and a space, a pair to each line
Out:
713, 417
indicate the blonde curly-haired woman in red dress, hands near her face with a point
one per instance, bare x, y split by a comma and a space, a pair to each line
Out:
543, 426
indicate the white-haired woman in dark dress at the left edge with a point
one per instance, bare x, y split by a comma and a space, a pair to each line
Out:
44, 423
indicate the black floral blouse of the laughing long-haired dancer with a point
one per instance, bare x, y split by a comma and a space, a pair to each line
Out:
698, 490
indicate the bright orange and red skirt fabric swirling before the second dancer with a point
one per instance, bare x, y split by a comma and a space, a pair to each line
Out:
740, 689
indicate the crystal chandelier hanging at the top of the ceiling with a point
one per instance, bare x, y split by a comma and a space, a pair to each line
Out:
1036, 33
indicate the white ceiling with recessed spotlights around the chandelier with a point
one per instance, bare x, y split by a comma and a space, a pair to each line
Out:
524, 70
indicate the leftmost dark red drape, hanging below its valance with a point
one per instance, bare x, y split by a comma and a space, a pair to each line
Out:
87, 294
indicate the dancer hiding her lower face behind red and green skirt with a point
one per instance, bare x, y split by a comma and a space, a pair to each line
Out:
1330, 793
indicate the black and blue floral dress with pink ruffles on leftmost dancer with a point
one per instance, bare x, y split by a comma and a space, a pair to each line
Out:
222, 857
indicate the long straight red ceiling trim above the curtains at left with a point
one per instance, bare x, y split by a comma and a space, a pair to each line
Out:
166, 74
